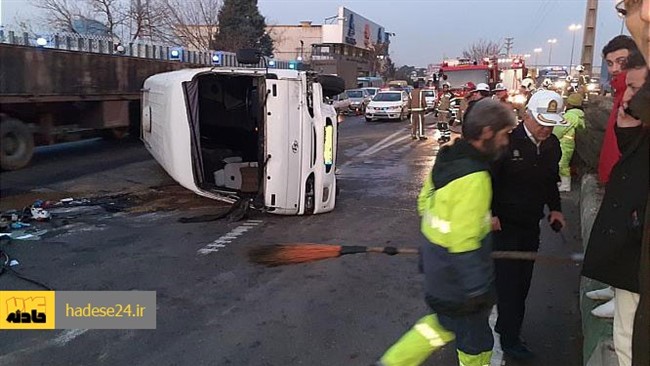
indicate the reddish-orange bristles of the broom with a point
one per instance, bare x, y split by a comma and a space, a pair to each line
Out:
278, 255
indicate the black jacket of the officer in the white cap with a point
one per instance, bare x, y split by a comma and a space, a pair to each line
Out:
525, 179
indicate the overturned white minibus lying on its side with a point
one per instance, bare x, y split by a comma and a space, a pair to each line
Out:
226, 133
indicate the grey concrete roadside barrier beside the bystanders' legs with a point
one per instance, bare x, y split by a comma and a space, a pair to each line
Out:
598, 346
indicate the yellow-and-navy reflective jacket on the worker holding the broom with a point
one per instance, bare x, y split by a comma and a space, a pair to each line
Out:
454, 205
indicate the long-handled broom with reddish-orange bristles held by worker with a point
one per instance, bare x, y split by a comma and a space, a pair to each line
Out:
279, 255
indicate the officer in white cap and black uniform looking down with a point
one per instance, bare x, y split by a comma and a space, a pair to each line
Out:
524, 181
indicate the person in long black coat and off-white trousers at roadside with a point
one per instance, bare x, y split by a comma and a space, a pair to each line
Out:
614, 250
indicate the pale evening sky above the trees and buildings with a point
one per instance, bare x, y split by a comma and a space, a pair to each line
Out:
429, 30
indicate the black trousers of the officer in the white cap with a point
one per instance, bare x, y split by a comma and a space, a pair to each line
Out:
513, 277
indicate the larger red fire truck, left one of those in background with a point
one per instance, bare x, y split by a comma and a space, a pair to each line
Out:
459, 72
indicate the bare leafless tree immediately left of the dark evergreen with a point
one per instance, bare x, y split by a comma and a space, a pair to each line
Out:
193, 22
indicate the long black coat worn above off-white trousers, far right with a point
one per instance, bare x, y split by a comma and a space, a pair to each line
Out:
614, 247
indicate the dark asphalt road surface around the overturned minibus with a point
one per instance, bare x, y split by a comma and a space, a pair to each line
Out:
219, 309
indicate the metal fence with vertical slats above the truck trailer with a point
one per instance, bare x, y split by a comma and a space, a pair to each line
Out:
106, 45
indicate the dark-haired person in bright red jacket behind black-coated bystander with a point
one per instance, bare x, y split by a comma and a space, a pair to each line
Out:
615, 52
